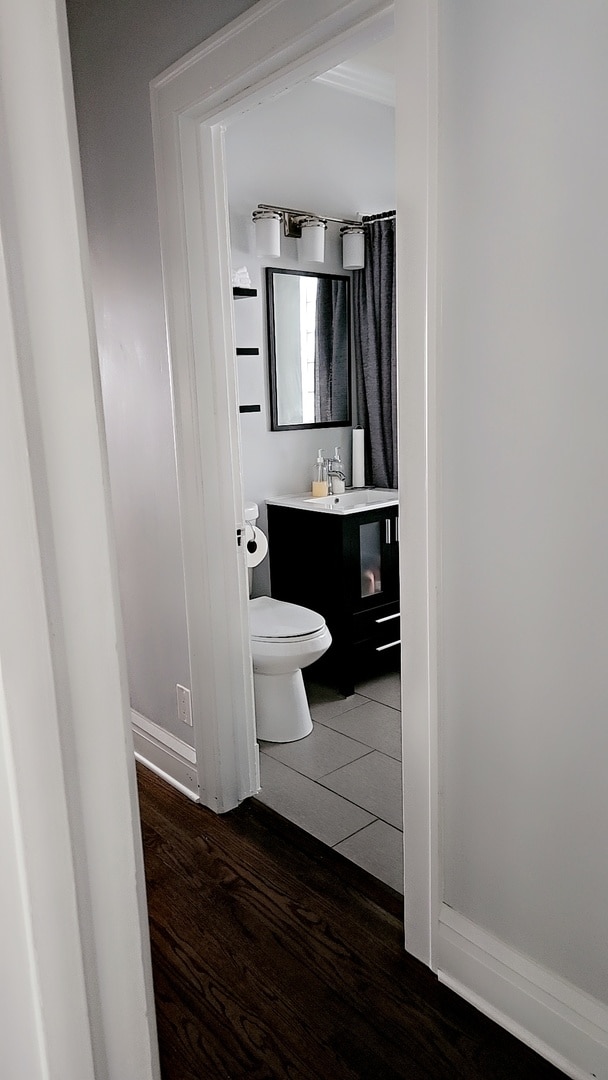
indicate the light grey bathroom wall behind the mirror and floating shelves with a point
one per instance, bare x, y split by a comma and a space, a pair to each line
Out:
314, 148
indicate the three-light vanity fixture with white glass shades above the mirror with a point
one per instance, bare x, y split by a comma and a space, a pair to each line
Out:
309, 231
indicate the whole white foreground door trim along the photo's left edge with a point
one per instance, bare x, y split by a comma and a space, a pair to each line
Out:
79, 1000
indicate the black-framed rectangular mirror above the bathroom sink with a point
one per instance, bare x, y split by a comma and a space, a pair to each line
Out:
308, 319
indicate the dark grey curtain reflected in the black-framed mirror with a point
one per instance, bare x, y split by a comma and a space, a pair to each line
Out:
331, 353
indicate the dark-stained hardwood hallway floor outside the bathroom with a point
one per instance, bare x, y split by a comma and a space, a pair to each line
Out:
274, 957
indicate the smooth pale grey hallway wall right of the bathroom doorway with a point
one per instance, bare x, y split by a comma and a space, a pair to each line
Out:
524, 236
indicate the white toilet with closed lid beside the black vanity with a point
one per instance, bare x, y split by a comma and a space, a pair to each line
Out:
286, 638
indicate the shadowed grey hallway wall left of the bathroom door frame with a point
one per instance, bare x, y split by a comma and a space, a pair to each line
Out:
138, 39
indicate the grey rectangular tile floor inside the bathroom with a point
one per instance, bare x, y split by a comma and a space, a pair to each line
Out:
343, 784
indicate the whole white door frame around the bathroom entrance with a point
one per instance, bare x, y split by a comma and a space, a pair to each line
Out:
271, 48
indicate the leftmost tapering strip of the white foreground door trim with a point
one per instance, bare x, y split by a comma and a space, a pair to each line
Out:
44, 1032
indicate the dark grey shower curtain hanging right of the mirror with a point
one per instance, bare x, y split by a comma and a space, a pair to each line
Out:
375, 350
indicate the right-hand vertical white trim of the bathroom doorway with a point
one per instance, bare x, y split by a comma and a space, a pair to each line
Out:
418, 319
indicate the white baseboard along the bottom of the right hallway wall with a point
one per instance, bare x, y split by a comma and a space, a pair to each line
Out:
563, 1024
